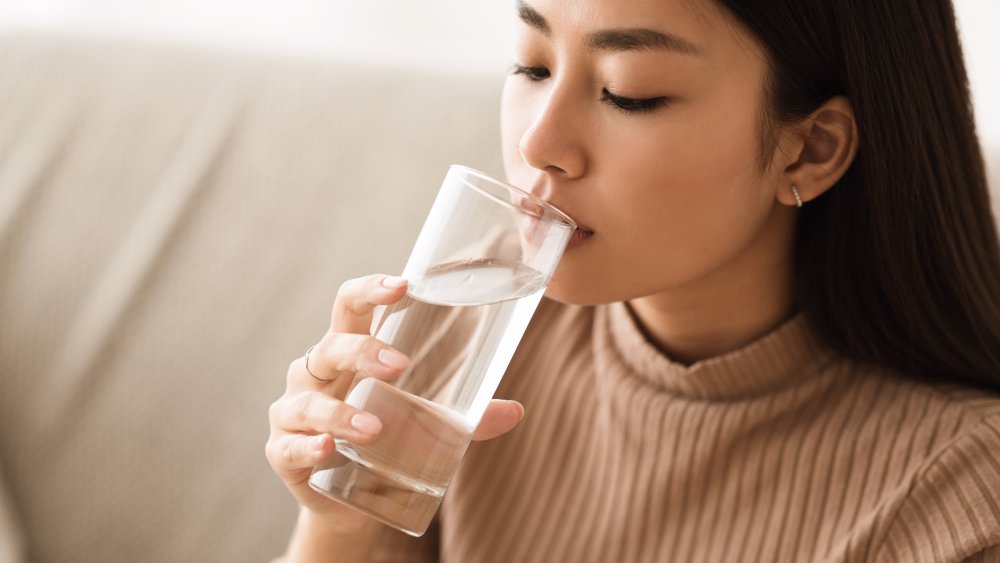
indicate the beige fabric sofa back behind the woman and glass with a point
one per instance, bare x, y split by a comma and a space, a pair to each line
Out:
174, 224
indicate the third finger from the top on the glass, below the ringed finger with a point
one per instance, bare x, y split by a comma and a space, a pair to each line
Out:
315, 412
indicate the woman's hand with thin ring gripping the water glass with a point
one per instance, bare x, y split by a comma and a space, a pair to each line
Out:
311, 413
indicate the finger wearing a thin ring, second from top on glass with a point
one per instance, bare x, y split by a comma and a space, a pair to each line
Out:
346, 354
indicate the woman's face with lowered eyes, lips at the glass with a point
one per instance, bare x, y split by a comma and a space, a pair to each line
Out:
641, 120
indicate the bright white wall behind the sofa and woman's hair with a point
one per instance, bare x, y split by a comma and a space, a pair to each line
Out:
412, 31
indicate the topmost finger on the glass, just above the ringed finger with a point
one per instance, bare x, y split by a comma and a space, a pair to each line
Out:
357, 298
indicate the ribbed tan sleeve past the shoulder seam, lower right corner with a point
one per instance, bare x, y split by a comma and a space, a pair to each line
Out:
952, 512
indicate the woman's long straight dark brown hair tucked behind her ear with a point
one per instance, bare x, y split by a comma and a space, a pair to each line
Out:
899, 264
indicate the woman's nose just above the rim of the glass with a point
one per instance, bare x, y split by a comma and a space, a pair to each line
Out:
553, 143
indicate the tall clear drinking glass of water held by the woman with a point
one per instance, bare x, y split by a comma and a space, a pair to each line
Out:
477, 272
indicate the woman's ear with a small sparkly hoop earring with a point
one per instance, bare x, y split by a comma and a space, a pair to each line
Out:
819, 150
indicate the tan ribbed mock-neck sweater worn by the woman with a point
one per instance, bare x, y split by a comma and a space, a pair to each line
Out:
780, 451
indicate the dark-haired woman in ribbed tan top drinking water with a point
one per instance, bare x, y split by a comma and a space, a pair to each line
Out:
779, 336
